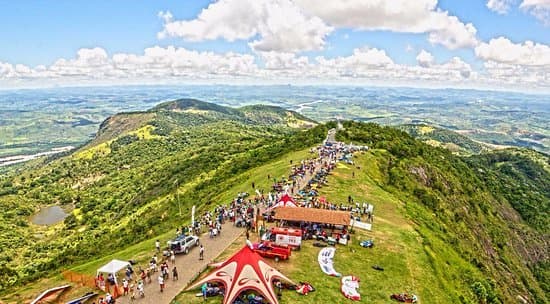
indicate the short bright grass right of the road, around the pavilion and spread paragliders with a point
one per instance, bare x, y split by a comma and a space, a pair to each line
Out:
398, 248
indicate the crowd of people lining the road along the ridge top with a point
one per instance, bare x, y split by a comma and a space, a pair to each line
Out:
304, 179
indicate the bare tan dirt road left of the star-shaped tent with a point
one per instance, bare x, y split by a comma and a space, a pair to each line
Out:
188, 266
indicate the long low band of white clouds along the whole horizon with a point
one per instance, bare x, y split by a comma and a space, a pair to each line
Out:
171, 65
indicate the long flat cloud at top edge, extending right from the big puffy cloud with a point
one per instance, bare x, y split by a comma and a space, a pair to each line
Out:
419, 16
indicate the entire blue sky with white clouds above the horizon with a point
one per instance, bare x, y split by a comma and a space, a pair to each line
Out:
484, 44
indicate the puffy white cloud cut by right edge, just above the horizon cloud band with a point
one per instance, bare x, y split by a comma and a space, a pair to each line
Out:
502, 50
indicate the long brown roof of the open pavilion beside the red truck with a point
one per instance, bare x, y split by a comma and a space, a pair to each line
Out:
313, 215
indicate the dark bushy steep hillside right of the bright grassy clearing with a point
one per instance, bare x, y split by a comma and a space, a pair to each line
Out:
483, 219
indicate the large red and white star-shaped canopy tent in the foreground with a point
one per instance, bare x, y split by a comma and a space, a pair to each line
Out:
245, 270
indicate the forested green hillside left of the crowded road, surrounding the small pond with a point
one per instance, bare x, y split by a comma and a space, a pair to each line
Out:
121, 187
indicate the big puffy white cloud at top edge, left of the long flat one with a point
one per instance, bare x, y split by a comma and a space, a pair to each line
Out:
276, 25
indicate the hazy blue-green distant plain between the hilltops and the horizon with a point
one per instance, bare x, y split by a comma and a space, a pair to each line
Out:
35, 121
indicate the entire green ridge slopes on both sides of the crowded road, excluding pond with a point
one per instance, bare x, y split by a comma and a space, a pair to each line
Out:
451, 228
